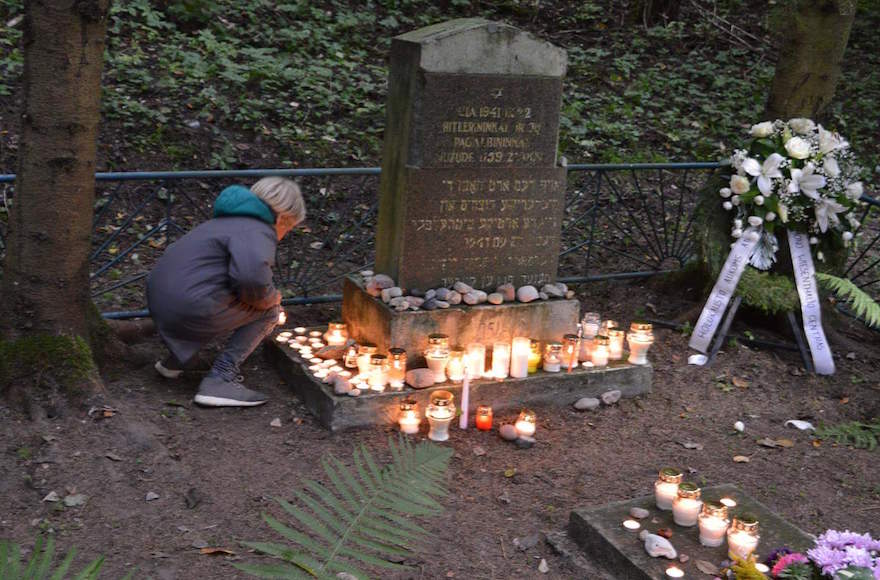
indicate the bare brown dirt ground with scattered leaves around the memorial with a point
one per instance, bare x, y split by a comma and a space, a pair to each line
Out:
215, 471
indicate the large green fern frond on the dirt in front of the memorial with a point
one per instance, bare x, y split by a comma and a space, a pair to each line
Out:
361, 518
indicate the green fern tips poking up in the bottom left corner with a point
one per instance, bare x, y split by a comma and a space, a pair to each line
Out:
39, 566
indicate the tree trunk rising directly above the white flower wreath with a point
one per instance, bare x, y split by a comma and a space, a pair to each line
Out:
813, 36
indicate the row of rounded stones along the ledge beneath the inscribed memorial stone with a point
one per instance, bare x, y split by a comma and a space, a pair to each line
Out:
383, 287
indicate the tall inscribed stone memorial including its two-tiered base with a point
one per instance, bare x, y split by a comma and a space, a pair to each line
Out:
471, 193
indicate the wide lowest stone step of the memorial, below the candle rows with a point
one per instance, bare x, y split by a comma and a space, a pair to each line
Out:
337, 412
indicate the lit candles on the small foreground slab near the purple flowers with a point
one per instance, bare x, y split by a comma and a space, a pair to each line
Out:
711, 517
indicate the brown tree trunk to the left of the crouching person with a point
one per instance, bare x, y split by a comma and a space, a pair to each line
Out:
46, 276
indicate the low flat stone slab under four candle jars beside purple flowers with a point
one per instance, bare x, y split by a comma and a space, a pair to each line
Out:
602, 534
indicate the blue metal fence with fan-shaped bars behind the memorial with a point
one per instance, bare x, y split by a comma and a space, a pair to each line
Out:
621, 221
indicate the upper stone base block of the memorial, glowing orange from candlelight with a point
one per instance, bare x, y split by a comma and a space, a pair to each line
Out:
371, 320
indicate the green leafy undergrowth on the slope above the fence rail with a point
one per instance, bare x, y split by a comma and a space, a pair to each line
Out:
303, 82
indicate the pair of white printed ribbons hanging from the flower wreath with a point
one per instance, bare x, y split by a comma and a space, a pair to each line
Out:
808, 292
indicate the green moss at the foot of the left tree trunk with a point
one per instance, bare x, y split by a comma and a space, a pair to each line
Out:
60, 359
